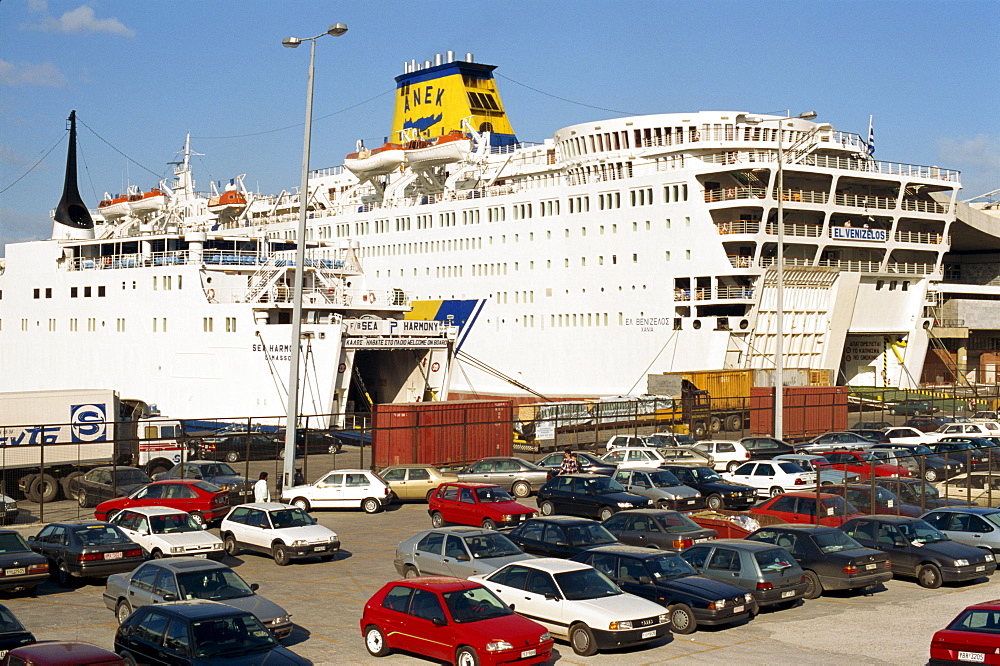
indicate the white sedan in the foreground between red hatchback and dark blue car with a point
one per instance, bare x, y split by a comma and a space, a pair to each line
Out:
576, 602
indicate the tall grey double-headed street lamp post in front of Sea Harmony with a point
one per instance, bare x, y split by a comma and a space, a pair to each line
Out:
291, 424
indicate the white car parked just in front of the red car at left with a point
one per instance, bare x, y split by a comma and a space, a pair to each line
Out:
165, 532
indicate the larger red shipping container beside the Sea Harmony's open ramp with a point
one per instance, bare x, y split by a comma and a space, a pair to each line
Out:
441, 433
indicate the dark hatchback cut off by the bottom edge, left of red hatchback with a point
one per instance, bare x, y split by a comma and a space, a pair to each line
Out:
185, 633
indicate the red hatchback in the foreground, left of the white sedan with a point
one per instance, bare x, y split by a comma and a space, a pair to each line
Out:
451, 619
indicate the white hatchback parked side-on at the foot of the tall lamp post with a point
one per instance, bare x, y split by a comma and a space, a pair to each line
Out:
341, 488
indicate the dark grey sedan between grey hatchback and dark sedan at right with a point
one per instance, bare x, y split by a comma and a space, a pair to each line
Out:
830, 558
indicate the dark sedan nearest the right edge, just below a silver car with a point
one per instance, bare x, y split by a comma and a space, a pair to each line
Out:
917, 549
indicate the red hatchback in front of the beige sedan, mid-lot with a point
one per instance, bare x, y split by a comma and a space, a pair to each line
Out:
477, 504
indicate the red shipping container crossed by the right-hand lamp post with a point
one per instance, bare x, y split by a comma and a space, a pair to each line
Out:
808, 411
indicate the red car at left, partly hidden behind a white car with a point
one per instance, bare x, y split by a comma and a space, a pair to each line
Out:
206, 502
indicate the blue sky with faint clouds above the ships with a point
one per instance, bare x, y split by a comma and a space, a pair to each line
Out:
142, 74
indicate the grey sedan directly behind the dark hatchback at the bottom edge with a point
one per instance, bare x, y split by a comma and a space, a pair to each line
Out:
186, 578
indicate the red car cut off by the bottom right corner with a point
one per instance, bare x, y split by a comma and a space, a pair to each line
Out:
973, 636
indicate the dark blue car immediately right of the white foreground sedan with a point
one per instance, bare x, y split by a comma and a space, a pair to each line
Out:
668, 580
